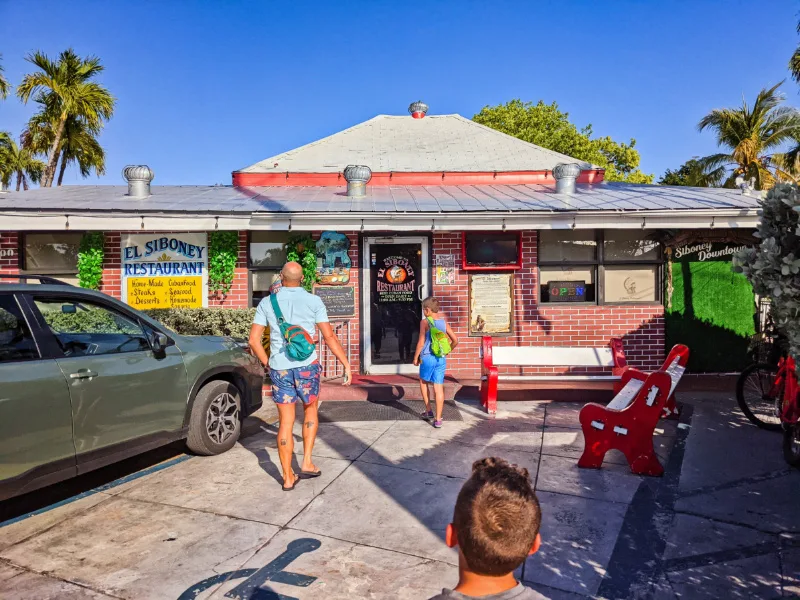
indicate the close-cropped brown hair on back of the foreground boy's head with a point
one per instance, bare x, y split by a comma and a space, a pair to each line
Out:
497, 517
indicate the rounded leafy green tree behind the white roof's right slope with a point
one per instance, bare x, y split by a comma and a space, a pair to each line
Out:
546, 126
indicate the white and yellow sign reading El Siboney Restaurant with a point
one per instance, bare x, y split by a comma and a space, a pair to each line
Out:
165, 271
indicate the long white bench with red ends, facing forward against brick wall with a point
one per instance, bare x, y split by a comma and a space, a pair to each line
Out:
611, 357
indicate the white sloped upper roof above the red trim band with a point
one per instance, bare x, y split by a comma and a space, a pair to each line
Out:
388, 143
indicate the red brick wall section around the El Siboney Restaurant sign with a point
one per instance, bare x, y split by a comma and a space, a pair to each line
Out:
238, 297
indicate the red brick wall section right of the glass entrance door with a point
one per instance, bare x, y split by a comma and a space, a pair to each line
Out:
640, 326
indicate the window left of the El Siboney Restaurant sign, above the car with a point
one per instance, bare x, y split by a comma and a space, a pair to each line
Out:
52, 254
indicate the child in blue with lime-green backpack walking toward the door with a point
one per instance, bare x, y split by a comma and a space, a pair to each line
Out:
436, 340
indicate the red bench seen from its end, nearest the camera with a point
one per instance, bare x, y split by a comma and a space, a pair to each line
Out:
628, 422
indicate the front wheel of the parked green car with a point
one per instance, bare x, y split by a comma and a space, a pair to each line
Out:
215, 422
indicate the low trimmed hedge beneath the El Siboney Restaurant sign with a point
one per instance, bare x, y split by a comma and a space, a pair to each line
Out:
233, 322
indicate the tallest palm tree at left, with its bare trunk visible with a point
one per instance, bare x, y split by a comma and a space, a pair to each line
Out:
66, 87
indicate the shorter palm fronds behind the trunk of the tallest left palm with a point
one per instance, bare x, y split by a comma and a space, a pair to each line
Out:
78, 143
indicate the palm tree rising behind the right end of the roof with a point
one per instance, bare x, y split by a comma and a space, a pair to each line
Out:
753, 137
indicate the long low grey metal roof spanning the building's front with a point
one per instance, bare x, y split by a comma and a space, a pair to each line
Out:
602, 197
